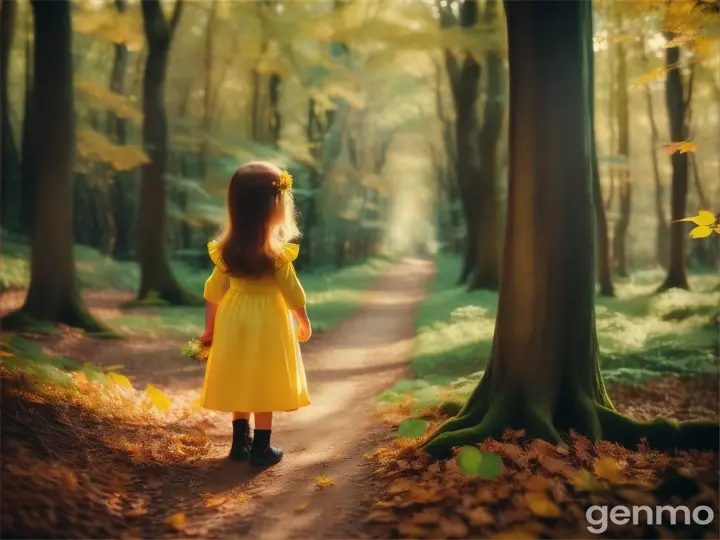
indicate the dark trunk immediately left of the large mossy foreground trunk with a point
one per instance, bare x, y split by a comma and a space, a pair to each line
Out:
487, 250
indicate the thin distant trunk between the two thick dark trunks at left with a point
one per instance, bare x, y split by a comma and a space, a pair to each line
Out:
123, 208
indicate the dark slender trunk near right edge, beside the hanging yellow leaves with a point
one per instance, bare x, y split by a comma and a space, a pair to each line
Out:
675, 100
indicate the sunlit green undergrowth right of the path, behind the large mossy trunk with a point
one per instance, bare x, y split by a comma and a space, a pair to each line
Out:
641, 334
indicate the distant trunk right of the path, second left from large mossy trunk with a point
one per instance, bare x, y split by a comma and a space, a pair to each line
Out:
464, 75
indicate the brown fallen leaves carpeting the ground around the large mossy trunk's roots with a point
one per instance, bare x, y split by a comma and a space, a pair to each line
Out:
544, 491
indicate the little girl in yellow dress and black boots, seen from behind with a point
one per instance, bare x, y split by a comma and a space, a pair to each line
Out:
255, 364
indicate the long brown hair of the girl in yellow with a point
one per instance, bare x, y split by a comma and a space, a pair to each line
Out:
260, 219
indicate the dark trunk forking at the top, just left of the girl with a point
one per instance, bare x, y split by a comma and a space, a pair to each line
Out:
156, 276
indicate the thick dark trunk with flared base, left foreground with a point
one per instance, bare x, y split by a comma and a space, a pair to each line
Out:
53, 293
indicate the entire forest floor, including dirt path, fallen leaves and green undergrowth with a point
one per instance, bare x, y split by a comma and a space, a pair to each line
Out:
82, 459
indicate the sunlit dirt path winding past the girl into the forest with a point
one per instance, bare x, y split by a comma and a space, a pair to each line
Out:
345, 367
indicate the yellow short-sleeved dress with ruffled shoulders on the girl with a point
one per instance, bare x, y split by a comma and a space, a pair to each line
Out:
255, 363
